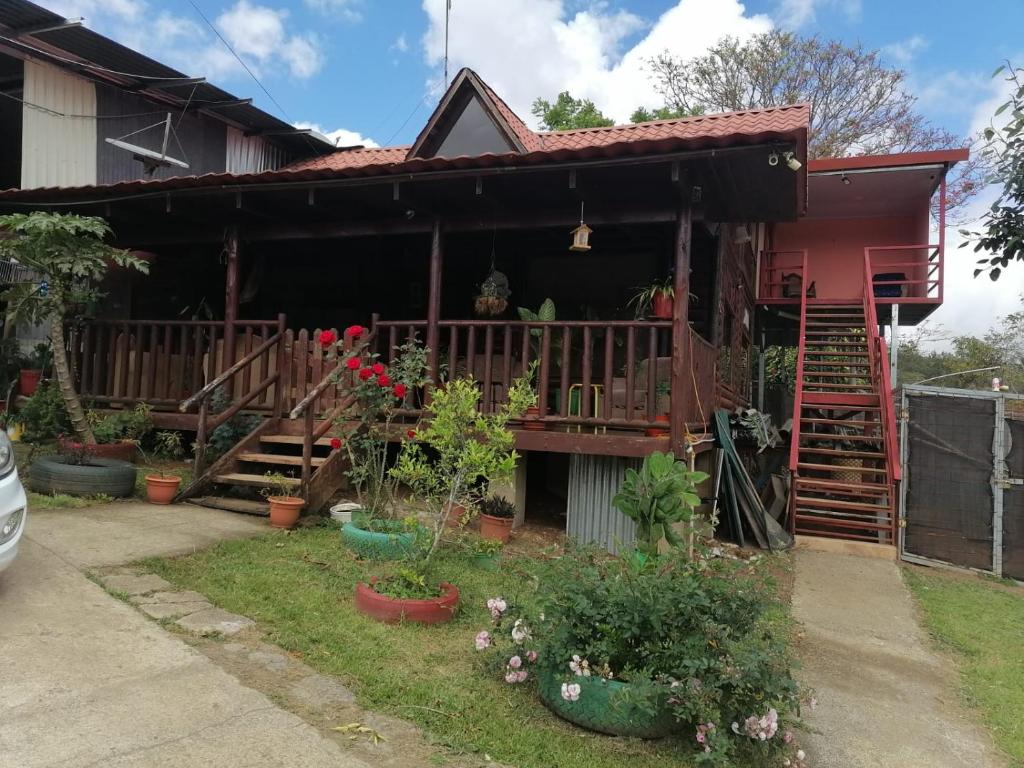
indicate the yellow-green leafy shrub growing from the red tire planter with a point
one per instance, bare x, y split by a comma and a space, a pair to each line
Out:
458, 449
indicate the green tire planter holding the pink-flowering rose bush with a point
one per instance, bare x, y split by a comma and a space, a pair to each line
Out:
602, 708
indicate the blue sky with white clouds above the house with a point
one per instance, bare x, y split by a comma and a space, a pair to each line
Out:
371, 71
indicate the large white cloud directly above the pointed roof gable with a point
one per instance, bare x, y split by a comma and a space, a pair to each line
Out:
531, 49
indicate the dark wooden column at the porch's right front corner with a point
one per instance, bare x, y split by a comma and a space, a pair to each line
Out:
682, 382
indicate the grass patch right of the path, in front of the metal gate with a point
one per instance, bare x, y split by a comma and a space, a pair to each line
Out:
983, 625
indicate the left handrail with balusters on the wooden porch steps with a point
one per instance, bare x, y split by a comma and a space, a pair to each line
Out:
239, 380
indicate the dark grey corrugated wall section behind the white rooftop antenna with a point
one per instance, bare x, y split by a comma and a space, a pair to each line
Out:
203, 140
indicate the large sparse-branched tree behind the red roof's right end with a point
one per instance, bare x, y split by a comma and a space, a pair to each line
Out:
860, 105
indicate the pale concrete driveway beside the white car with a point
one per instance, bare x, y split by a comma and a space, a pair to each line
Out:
87, 681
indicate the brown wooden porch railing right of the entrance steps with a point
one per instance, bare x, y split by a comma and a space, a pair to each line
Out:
589, 373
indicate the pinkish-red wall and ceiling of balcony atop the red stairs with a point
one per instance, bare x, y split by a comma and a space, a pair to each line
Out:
836, 250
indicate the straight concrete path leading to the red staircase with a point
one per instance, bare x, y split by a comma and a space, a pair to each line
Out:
884, 699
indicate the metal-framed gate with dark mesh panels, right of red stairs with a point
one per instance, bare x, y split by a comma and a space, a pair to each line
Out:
962, 500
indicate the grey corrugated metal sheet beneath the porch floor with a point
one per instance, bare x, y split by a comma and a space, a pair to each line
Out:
592, 520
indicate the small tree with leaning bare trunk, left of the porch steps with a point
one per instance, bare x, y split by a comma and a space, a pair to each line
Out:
71, 258
